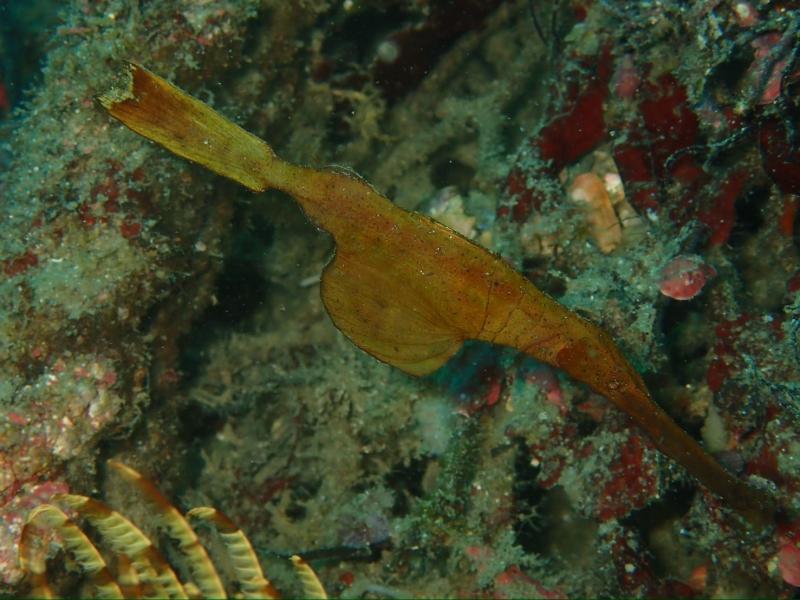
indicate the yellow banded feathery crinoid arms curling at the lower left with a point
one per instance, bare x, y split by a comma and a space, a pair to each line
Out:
139, 568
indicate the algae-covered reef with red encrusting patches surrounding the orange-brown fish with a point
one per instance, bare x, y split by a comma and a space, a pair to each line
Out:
638, 161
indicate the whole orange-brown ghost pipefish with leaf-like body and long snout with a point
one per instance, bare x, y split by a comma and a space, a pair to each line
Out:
408, 290
